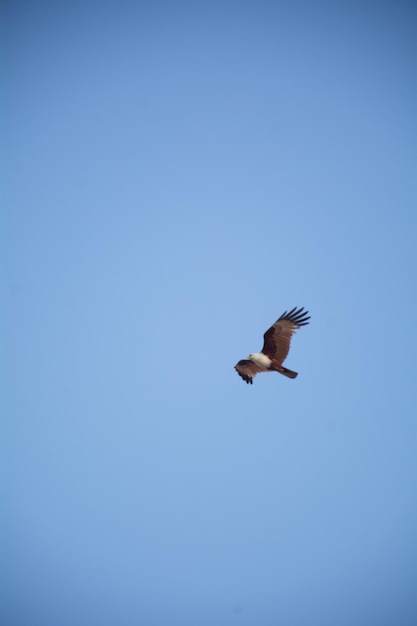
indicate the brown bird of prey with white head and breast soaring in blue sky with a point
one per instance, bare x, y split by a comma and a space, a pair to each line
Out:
276, 347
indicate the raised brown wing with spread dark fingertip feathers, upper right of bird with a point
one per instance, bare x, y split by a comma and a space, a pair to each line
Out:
277, 339
